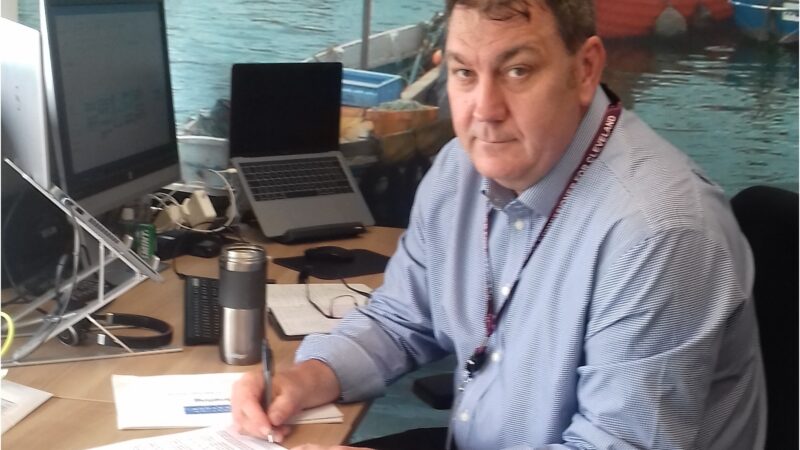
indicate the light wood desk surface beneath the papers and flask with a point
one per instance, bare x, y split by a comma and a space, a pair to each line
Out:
83, 415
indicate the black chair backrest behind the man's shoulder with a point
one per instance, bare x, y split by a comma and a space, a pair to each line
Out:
768, 217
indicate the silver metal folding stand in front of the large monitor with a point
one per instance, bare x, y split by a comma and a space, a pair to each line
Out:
112, 253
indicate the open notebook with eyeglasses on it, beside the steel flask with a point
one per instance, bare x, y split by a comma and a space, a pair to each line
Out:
289, 304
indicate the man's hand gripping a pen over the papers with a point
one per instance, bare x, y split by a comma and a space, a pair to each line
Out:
308, 384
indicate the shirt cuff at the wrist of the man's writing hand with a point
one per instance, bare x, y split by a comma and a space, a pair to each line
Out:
359, 377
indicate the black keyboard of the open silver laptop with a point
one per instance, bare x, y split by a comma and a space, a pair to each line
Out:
304, 177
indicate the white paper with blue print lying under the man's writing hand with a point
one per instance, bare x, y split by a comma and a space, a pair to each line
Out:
185, 401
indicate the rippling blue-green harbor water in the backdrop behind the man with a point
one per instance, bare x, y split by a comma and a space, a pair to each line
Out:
730, 103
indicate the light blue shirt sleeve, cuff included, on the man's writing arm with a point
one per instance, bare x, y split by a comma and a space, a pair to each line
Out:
392, 335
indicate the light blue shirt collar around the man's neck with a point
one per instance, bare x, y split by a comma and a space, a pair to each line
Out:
542, 196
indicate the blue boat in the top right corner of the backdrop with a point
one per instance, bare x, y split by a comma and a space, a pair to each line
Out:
766, 20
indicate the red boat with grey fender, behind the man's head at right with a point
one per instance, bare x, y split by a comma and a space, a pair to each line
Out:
636, 18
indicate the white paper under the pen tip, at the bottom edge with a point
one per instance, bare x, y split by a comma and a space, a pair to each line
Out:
215, 438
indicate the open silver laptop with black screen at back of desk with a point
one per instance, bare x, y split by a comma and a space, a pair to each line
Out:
284, 141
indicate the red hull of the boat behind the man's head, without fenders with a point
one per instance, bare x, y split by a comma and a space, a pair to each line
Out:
632, 18
